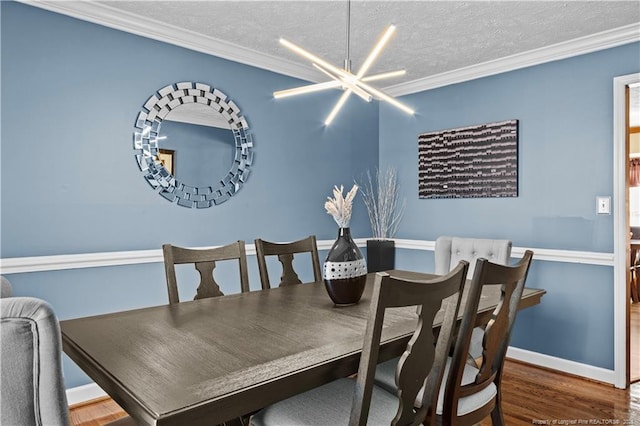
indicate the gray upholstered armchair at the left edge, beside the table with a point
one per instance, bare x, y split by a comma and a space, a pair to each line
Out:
32, 387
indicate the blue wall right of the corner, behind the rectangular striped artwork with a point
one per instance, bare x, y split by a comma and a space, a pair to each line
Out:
565, 118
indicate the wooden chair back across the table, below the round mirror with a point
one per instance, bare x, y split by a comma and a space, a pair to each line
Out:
204, 261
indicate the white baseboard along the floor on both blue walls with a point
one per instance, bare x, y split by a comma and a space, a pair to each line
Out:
91, 391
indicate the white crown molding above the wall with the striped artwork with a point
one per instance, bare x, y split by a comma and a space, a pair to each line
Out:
579, 46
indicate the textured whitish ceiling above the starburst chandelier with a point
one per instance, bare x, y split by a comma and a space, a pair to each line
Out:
432, 37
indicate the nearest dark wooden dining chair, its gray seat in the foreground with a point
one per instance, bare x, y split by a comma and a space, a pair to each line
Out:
358, 401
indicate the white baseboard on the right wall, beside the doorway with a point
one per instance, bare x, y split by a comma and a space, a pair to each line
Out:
576, 368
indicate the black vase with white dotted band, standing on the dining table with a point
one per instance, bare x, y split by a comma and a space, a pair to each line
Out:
345, 270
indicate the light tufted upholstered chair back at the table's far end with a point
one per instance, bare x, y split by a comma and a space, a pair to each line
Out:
451, 250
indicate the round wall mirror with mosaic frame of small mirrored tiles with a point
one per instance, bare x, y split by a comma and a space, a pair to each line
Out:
192, 145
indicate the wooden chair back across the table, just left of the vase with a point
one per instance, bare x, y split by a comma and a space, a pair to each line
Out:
285, 253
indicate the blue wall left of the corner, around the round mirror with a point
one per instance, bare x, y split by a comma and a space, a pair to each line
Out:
71, 91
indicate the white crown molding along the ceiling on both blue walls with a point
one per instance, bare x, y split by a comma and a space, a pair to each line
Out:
124, 21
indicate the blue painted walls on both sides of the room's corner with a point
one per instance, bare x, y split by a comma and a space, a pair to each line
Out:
71, 91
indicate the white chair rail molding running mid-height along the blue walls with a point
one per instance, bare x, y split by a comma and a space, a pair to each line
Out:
17, 265
